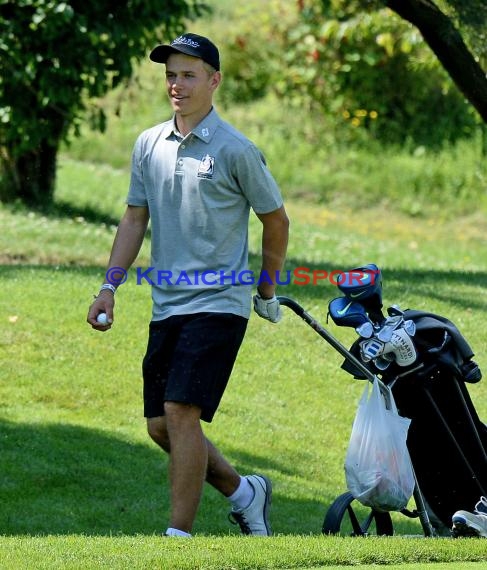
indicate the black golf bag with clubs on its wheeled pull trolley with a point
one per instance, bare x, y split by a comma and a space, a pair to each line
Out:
426, 362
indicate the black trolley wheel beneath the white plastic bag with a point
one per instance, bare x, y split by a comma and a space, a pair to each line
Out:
349, 517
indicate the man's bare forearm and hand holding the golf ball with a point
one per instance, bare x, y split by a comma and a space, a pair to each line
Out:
126, 246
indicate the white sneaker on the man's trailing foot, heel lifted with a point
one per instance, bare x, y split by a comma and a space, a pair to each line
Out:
254, 519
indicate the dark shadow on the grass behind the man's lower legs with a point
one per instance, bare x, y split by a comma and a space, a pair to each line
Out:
66, 479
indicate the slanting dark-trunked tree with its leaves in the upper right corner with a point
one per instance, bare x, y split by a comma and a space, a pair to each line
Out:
440, 33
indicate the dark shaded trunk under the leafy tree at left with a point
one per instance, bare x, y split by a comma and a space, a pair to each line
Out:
31, 177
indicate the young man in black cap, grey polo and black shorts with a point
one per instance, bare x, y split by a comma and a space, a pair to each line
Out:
196, 178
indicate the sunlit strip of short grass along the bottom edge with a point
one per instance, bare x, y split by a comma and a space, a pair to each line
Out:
143, 552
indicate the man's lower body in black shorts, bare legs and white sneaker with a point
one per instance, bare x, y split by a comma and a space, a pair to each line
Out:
207, 344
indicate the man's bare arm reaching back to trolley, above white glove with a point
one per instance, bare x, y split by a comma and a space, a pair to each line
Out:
275, 233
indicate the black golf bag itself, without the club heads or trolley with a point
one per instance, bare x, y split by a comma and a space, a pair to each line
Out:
447, 441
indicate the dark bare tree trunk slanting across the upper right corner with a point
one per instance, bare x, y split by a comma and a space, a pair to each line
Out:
447, 44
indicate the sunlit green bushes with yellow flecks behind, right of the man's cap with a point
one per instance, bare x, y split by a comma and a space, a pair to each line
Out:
355, 62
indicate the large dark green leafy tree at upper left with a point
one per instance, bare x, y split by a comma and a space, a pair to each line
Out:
54, 57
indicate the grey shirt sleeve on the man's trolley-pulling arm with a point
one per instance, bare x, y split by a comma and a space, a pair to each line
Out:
256, 181
